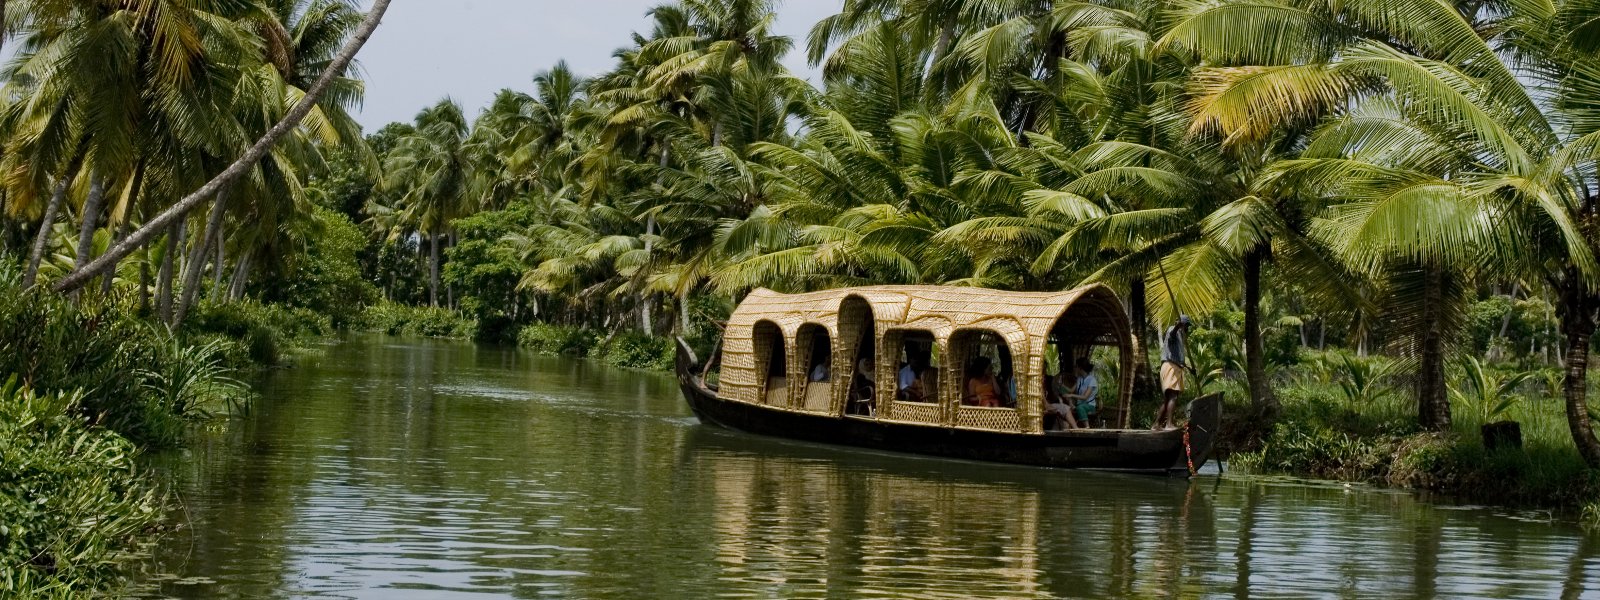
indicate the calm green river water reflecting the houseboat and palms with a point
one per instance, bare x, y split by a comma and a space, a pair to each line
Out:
418, 470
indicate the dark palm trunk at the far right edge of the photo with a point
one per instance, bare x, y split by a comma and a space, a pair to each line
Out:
1578, 324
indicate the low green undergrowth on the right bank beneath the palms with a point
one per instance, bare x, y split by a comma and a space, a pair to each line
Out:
1354, 423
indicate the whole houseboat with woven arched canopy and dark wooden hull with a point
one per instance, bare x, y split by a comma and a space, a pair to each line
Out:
809, 367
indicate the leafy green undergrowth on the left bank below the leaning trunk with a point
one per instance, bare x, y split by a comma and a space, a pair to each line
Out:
87, 388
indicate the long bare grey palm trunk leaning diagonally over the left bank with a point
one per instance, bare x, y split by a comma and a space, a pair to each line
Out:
247, 162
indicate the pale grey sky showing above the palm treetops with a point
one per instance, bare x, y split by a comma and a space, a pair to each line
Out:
473, 49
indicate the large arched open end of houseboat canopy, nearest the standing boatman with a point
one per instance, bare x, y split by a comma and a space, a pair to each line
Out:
1087, 362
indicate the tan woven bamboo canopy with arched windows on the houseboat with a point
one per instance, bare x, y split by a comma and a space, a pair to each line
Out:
770, 330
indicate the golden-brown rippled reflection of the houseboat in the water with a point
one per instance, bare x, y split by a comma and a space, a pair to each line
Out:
897, 526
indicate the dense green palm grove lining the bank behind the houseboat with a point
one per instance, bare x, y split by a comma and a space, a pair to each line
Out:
1407, 180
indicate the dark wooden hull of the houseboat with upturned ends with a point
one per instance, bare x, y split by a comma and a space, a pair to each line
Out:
1106, 450
